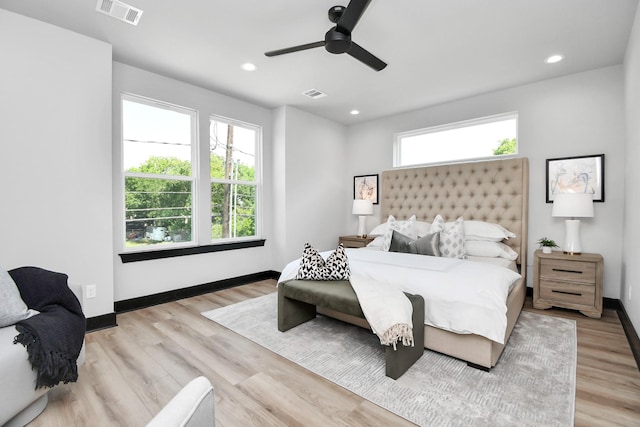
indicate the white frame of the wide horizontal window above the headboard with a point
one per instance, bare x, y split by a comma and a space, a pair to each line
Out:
398, 137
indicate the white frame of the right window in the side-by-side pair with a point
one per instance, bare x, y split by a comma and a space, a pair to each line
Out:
257, 176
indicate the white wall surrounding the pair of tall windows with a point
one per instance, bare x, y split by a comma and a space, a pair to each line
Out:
150, 277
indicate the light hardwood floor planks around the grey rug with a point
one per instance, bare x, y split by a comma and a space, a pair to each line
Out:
132, 370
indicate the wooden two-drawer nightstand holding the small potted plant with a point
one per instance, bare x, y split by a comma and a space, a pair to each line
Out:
569, 281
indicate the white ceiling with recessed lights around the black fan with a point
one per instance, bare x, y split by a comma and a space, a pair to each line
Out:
437, 50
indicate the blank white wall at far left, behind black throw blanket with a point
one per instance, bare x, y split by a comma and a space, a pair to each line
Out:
55, 154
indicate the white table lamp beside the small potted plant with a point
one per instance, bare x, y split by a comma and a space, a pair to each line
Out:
572, 205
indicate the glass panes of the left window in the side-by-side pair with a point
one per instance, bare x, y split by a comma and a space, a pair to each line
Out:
158, 145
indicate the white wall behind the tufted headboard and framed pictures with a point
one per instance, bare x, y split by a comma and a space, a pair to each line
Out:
580, 114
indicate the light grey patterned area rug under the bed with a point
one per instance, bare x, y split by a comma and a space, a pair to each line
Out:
533, 383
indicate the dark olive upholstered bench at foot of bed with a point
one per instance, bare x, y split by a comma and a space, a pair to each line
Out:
298, 299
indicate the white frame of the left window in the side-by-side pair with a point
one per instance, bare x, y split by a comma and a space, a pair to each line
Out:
193, 178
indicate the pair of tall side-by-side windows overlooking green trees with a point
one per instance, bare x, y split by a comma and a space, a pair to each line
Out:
172, 199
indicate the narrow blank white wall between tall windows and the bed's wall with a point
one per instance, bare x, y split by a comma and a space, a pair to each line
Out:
310, 171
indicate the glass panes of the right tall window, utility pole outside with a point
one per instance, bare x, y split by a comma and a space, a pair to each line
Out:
234, 184
